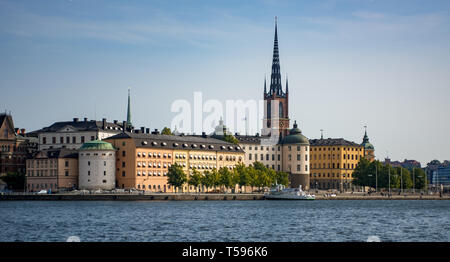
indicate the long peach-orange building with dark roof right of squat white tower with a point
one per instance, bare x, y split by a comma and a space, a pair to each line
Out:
143, 159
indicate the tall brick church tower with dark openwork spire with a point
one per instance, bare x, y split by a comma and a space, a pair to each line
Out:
276, 114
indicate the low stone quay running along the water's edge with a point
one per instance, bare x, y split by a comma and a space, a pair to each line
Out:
208, 196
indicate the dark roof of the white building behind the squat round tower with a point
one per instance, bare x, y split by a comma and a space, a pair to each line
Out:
82, 125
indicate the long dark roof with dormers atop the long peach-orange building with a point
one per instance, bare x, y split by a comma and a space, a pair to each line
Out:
177, 142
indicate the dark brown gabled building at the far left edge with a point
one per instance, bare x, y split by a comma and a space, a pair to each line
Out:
15, 146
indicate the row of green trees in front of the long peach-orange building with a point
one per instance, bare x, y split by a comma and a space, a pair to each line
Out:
255, 176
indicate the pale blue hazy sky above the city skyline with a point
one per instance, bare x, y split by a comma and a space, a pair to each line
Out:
350, 63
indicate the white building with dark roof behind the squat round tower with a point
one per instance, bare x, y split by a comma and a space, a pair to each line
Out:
73, 134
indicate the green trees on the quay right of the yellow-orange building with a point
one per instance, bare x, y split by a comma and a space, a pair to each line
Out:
375, 173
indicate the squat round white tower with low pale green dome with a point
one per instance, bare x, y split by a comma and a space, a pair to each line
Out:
97, 166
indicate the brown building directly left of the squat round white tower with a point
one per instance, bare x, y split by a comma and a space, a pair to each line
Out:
52, 169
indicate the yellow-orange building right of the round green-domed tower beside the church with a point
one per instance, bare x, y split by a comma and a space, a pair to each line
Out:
332, 163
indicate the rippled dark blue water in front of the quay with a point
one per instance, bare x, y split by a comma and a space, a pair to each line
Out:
348, 220
